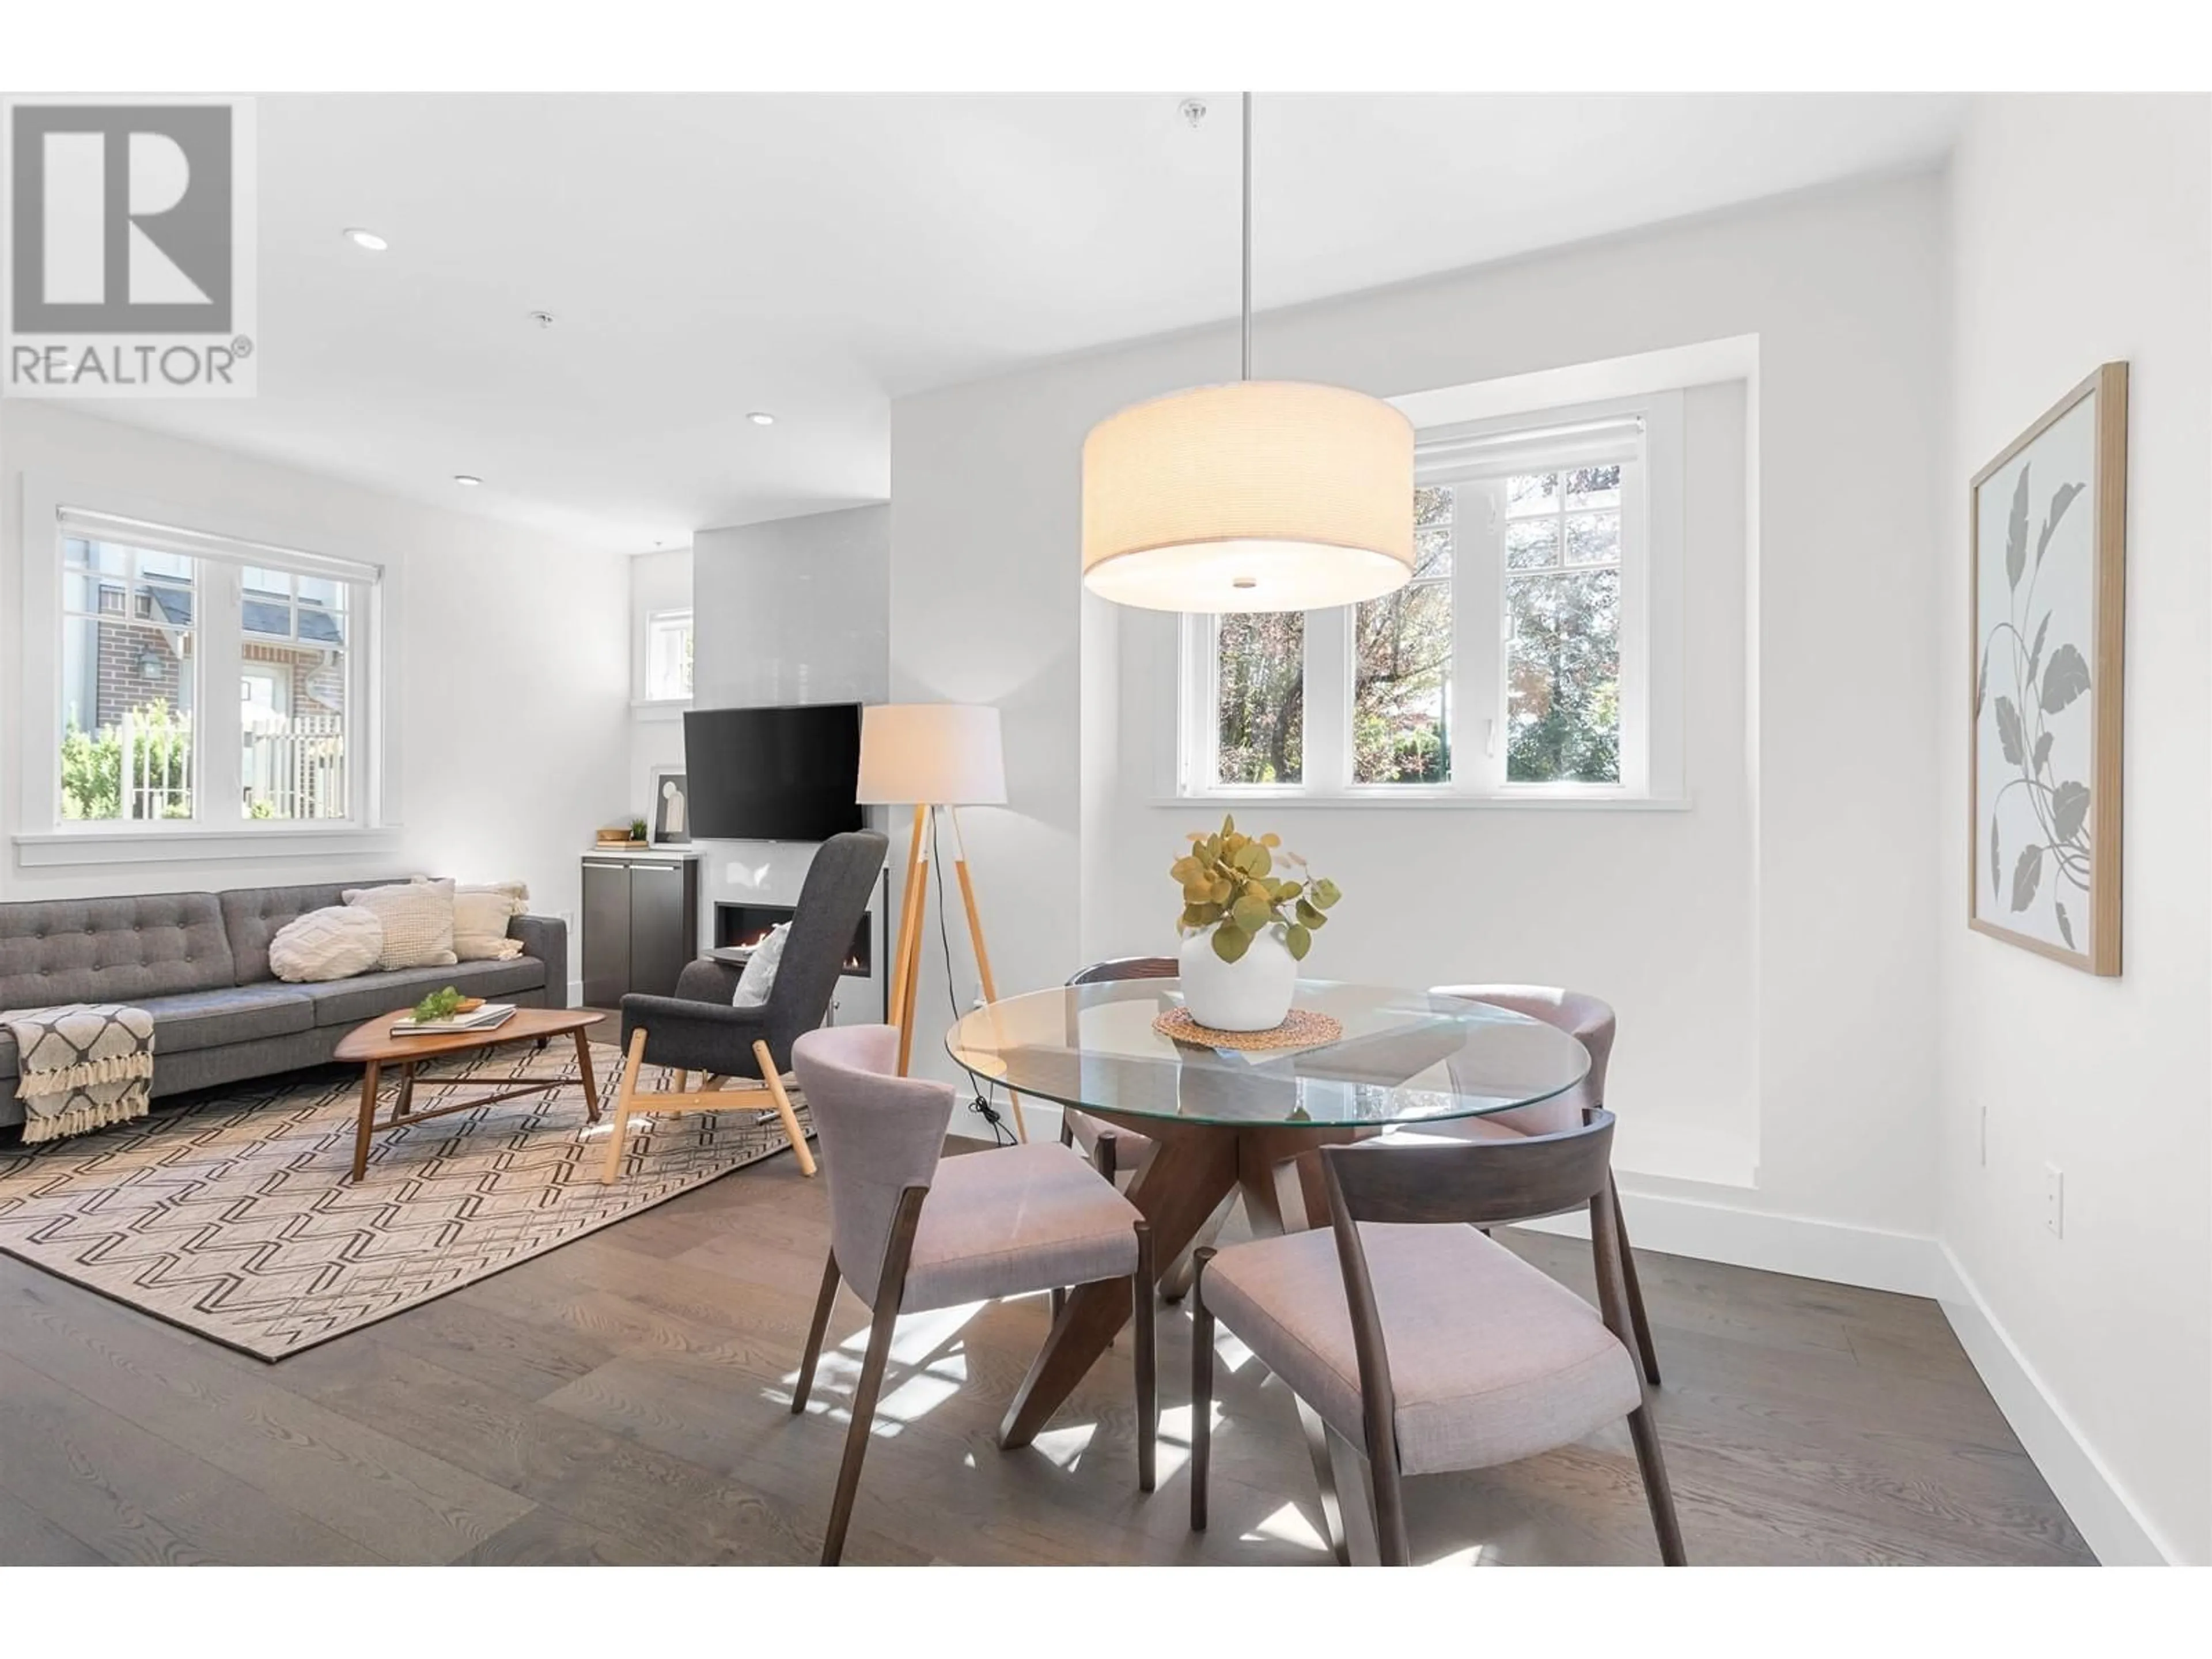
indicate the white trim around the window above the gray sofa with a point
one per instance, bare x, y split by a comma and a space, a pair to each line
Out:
41, 835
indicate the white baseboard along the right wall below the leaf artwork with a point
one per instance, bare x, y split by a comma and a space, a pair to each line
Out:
2069, 1463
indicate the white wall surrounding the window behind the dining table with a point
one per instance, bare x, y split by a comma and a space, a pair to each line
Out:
1786, 972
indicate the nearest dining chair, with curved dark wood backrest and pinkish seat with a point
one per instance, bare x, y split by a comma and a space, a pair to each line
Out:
1421, 1339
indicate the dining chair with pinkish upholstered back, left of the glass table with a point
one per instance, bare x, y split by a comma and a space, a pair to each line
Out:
915, 1231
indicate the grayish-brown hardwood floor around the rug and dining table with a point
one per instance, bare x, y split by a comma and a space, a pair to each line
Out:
625, 1399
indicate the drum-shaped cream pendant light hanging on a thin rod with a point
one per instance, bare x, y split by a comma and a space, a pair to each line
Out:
1249, 497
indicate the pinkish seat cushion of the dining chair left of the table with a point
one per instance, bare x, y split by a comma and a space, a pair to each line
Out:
1016, 1220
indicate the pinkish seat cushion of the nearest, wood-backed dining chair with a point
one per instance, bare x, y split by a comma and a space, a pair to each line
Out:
1490, 1359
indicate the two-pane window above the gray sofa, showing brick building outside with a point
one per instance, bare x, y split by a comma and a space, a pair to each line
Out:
156, 623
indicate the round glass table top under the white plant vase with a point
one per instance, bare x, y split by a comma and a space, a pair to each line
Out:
1406, 1056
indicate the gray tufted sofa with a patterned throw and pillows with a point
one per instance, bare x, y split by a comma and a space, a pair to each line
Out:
200, 963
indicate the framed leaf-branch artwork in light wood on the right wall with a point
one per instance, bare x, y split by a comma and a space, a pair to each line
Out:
2047, 581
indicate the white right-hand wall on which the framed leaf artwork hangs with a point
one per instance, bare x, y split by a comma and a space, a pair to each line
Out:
2080, 233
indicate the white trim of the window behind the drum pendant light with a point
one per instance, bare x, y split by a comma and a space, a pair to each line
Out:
1651, 640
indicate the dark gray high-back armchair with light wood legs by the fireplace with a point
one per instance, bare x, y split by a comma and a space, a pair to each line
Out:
698, 1030
